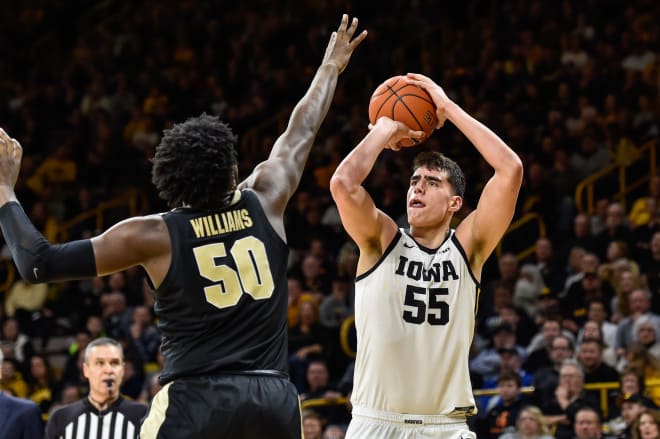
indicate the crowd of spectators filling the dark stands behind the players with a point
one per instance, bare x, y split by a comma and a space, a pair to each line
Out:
572, 86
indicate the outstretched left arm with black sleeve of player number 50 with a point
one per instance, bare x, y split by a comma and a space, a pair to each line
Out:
129, 243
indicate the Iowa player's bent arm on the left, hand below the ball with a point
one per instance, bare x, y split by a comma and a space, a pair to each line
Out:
370, 228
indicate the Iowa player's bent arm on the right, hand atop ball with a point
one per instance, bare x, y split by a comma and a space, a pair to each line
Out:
480, 232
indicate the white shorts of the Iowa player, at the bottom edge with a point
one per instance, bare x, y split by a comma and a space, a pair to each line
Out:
374, 424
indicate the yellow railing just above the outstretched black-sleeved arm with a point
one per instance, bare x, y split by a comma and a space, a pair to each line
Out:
134, 202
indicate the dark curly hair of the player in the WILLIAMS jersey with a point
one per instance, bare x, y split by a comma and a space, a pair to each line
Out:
195, 163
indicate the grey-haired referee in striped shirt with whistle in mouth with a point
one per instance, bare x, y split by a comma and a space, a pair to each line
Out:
103, 413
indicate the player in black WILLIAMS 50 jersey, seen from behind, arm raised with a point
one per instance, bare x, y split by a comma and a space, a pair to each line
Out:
217, 261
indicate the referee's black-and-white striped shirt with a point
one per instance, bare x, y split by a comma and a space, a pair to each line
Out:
81, 420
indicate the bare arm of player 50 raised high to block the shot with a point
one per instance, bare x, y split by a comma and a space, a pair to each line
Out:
276, 179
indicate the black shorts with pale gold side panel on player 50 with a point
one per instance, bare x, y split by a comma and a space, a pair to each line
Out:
224, 406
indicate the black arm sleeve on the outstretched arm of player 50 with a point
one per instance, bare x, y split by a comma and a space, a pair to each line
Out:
38, 260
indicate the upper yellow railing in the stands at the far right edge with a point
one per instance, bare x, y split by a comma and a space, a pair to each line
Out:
585, 191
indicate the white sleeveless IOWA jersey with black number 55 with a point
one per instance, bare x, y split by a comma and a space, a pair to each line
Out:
415, 316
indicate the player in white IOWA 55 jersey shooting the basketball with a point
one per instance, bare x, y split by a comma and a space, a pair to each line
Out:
416, 290
